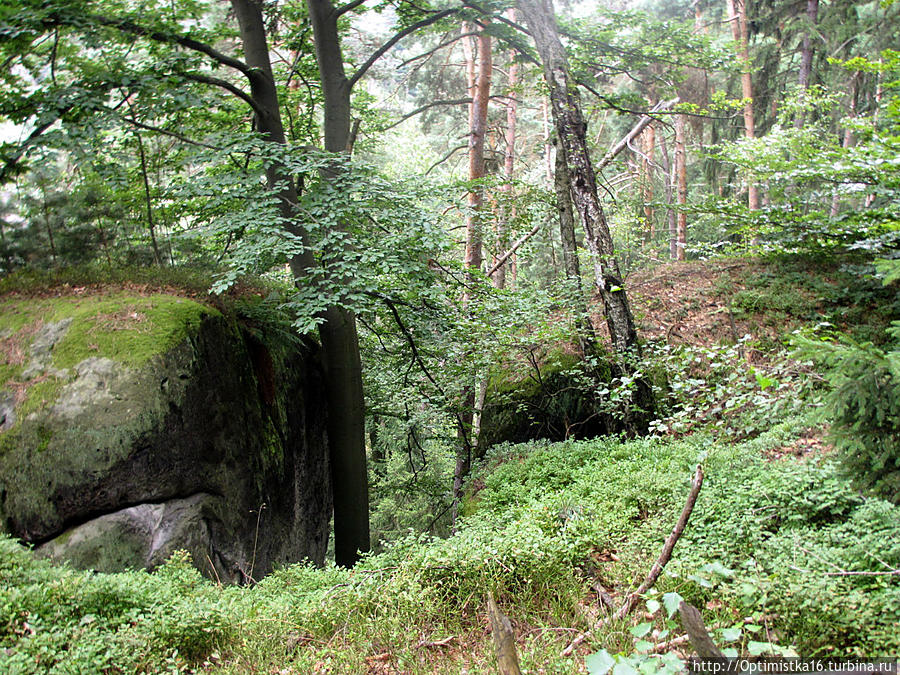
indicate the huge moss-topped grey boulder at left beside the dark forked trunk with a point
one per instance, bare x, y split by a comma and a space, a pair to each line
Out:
137, 425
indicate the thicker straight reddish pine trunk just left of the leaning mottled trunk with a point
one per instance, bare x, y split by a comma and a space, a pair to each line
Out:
473, 253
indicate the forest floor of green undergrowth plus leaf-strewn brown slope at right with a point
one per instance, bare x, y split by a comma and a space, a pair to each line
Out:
781, 554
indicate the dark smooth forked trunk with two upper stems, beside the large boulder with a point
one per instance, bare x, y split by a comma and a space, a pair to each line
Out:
343, 391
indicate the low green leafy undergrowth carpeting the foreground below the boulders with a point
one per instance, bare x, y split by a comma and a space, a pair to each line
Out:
760, 556
